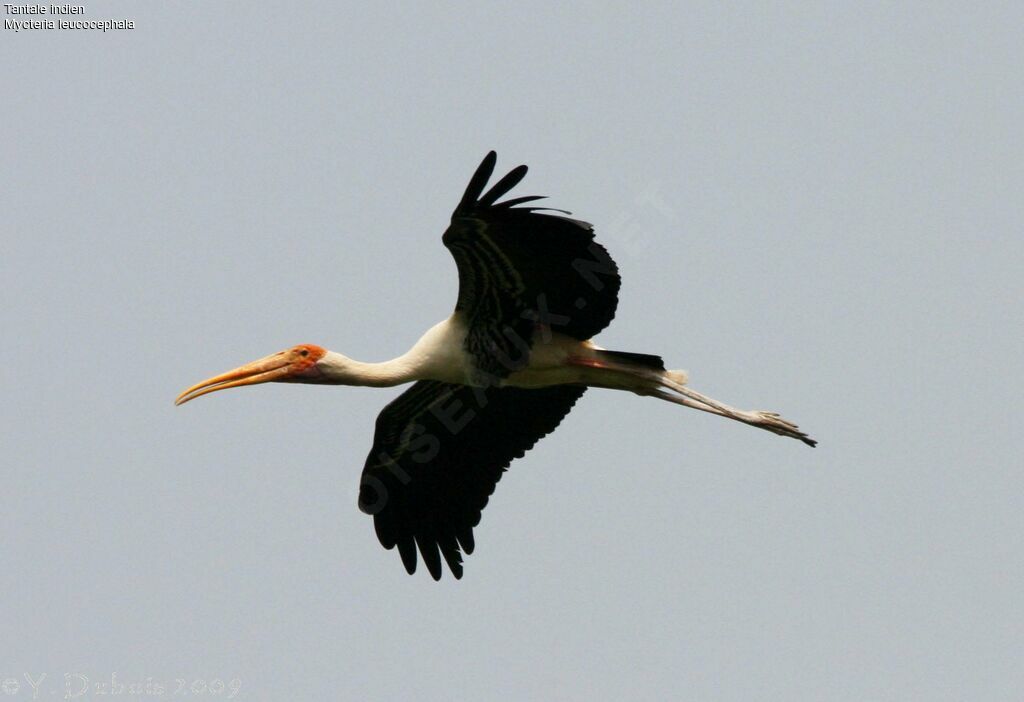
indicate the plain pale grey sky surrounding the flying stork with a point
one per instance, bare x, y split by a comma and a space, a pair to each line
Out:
817, 209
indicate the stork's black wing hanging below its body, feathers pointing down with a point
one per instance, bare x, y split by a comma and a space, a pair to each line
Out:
439, 452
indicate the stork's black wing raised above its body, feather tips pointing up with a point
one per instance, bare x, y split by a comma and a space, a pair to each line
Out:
521, 268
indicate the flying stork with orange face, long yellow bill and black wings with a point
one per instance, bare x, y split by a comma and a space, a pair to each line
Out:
493, 379
